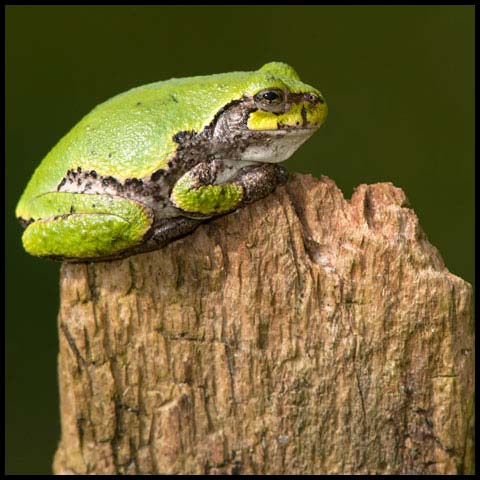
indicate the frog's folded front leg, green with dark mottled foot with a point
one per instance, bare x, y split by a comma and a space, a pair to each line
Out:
198, 196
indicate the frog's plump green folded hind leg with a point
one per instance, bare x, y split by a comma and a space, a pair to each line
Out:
85, 226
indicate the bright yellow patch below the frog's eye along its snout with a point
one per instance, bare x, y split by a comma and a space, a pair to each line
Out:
261, 120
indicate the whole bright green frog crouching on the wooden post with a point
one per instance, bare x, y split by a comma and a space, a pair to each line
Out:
148, 165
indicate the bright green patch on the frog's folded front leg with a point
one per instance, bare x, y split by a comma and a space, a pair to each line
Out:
205, 199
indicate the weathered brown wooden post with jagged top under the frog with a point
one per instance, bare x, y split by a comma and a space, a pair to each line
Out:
304, 334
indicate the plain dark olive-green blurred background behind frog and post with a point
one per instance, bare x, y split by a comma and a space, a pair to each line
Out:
399, 82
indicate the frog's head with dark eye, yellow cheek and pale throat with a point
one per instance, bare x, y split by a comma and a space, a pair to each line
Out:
277, 113
